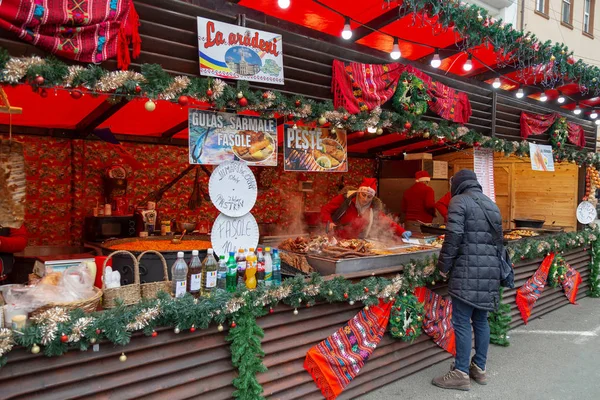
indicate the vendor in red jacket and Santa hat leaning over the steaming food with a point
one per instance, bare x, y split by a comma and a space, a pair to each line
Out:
353, 214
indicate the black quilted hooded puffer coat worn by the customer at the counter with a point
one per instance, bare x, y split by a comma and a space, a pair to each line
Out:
469, 252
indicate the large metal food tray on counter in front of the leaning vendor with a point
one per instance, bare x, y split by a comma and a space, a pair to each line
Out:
328, 266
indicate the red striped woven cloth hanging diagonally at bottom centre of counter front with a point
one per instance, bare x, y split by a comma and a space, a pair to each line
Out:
335, 361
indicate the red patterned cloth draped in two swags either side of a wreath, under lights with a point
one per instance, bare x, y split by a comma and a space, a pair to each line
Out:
362, 87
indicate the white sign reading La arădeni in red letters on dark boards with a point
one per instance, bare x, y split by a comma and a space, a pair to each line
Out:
237, 52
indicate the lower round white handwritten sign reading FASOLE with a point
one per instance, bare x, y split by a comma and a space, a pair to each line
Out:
230, 234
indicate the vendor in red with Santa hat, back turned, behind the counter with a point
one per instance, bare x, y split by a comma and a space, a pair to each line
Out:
418, 202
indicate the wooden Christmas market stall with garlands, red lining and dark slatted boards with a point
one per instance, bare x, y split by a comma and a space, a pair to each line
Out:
140, 155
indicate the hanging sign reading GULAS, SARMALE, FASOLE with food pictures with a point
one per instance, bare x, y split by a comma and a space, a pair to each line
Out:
217, 137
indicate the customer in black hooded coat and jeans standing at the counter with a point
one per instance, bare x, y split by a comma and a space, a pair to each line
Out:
469, 257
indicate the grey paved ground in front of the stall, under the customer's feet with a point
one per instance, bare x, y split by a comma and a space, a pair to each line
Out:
556, 357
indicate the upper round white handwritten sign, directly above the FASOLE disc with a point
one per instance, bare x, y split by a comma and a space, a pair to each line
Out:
232, 188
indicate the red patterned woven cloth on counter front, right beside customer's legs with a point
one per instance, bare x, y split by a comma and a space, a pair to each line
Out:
437, 321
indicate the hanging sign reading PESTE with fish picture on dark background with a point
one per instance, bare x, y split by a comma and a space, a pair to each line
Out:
314, 150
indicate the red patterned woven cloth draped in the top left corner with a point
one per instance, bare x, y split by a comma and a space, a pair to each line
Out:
82, 30
